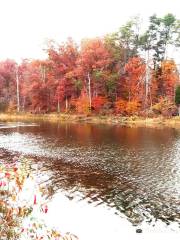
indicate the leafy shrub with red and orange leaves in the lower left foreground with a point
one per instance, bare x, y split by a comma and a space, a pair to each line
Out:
19, 206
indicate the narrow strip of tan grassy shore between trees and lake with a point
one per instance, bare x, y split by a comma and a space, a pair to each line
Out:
132, 121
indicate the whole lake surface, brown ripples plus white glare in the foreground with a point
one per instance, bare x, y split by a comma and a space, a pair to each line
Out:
103, 179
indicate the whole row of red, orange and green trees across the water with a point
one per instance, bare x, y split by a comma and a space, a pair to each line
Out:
127, 72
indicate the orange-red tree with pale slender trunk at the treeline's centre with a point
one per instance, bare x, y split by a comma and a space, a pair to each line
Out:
94, 61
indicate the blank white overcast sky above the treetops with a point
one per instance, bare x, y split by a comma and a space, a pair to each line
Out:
26, 24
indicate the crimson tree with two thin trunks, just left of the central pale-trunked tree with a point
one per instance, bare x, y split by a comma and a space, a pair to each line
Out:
63, 59
